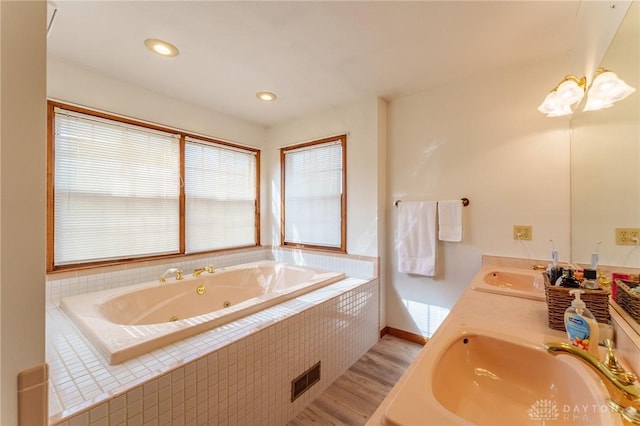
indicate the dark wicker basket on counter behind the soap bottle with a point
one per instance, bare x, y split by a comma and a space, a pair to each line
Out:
559, 299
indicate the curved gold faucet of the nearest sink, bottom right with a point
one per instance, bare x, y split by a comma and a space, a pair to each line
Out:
625, 396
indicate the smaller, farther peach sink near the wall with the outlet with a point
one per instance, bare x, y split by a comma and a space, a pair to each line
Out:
512, 282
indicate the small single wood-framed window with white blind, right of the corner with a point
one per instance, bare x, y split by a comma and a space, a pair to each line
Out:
313, 194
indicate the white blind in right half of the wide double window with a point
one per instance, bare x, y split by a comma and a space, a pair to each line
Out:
220, 192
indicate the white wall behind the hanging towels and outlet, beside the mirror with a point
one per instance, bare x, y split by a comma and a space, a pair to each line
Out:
483, 139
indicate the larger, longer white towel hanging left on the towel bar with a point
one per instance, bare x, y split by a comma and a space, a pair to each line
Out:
417, 237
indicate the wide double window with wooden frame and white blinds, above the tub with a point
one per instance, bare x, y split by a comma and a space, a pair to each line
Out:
116, 191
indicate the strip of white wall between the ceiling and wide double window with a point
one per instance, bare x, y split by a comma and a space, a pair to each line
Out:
71, 83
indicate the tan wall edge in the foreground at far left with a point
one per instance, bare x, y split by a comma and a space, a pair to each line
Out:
22, 202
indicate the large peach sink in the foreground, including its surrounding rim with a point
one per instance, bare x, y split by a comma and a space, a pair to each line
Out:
482, 379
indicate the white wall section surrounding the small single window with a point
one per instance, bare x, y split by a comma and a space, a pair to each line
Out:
360, 121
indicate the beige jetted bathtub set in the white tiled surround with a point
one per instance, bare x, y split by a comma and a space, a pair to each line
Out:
130, 321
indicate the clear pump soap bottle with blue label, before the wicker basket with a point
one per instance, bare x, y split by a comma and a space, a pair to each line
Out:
581, 325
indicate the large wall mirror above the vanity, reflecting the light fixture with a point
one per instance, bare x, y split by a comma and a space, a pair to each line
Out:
605, 160
